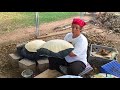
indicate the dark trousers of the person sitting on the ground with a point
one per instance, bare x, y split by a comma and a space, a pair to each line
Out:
73, 68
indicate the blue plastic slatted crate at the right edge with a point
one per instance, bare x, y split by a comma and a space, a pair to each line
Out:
112, 67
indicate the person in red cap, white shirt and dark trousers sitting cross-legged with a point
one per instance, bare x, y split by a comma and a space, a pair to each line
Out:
76, 61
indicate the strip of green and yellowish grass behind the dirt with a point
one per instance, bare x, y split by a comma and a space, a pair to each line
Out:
10, 21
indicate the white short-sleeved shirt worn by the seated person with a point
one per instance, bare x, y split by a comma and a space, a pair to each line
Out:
80, 44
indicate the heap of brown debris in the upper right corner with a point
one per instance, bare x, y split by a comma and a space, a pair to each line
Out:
109, 21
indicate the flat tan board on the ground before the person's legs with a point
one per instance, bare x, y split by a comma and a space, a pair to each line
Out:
49, 74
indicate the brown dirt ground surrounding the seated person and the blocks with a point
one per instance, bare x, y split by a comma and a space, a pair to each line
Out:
8, 42
